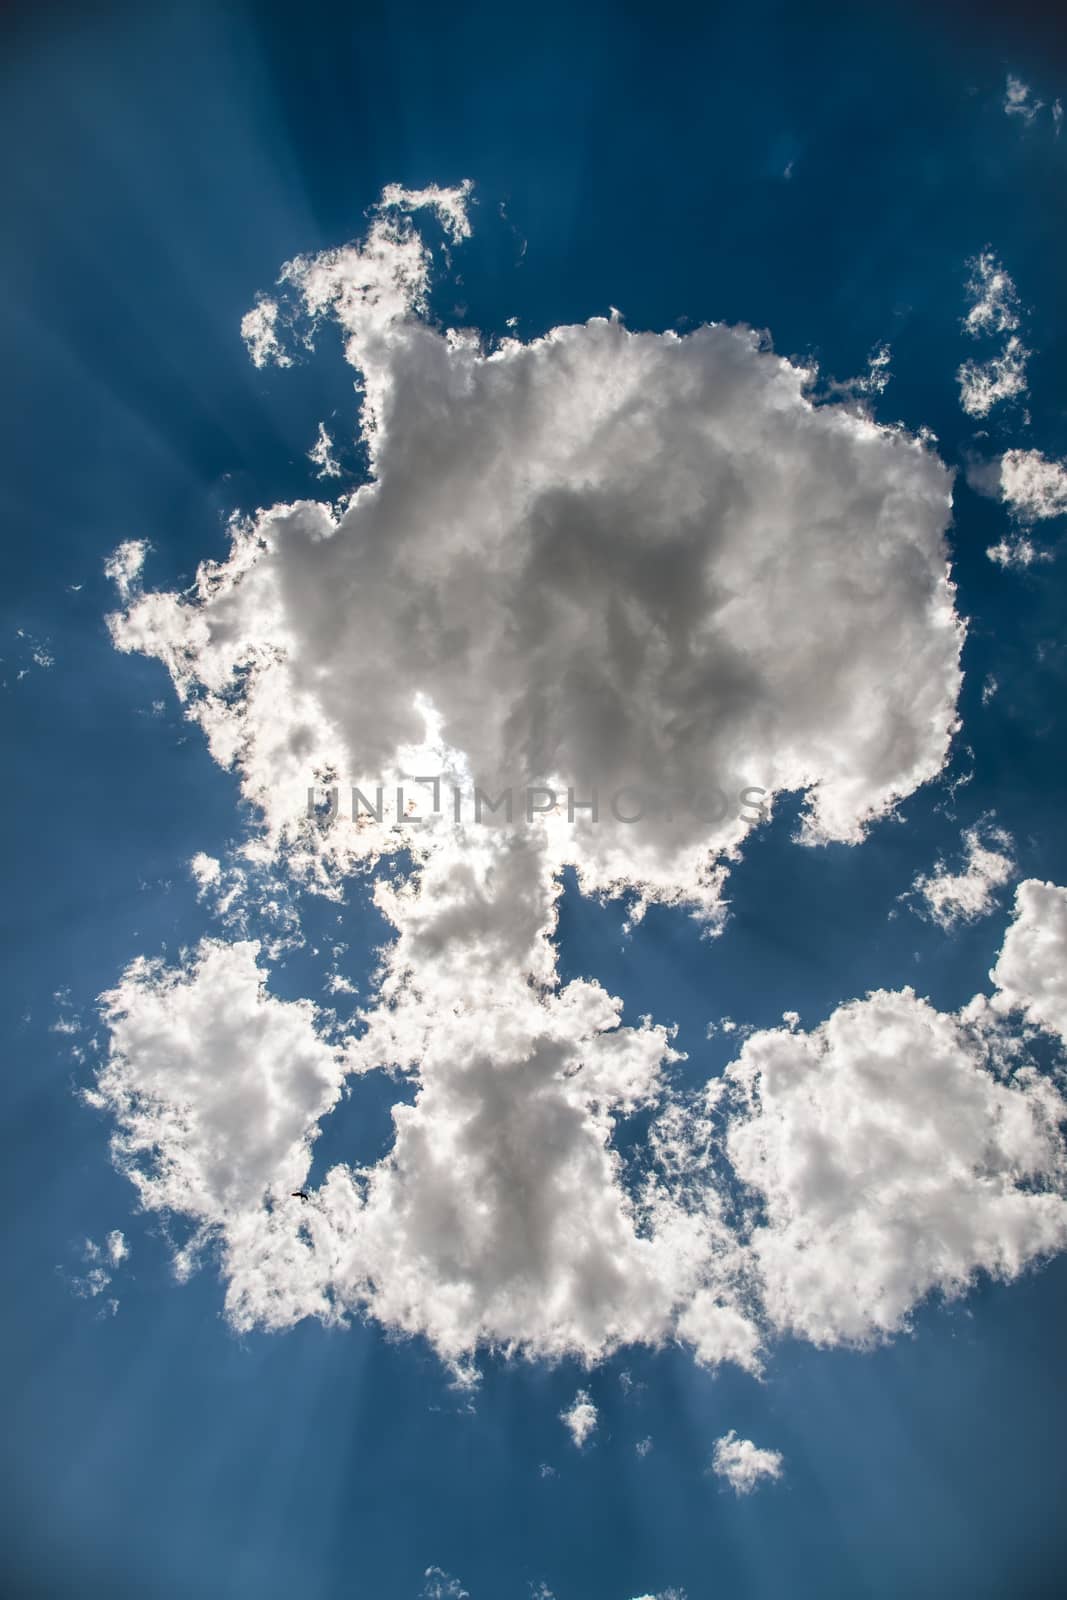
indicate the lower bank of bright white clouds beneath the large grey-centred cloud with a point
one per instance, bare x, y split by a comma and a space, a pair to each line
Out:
893, 1151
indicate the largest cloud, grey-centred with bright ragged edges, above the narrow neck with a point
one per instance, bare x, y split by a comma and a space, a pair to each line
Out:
589, 561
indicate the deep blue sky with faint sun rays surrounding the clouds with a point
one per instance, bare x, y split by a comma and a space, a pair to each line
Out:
825, 175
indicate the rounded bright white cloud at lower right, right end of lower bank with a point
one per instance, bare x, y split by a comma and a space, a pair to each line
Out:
893, 1154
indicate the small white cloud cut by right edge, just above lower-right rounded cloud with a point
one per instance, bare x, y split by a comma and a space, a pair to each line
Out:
1031, 972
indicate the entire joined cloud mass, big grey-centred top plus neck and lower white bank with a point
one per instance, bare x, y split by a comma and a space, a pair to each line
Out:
593, 559
